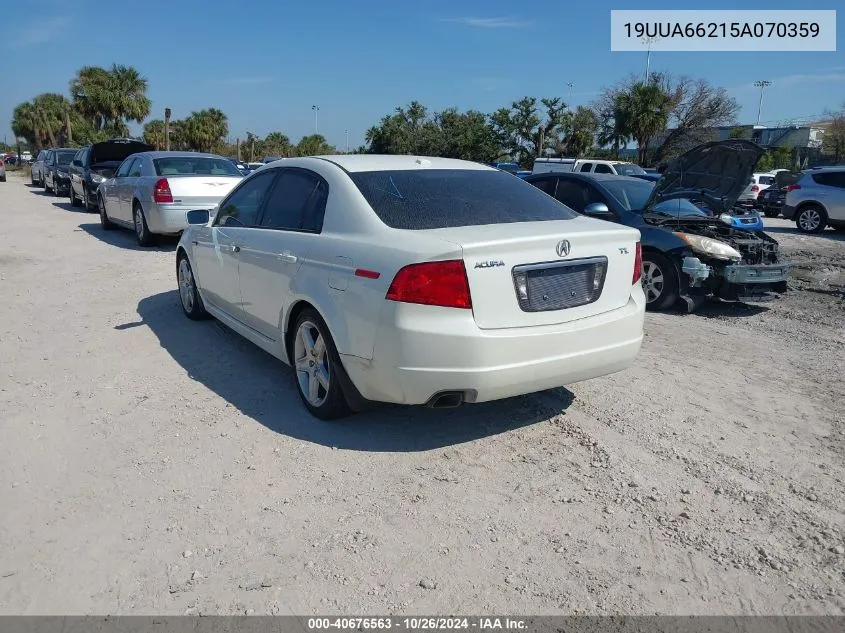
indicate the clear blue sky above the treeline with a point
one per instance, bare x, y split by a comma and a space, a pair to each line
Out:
266, 63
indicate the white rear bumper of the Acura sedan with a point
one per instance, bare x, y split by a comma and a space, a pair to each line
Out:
421, 351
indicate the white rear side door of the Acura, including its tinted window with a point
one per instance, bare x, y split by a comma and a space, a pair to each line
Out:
273, 254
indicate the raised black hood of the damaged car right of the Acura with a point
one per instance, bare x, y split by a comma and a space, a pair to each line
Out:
715, 173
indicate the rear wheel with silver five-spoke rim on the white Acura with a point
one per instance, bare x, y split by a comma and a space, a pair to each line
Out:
316, 365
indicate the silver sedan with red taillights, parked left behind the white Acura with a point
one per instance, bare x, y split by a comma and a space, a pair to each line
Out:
152, 192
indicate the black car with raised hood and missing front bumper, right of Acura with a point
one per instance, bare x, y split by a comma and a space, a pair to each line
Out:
690, 248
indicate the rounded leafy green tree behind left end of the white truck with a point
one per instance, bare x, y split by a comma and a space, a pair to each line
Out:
523, 131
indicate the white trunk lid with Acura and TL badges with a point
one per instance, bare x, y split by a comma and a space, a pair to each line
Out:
545, 273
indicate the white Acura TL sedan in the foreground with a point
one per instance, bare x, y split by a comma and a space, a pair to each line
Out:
414, 280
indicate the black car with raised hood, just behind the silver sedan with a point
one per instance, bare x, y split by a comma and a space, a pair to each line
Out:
94, 164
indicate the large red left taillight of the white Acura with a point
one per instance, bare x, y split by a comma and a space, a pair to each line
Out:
432, 283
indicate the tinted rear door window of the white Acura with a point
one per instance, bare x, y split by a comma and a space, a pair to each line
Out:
297, 202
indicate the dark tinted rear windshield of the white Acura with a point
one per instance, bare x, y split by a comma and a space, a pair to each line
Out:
446, 198
